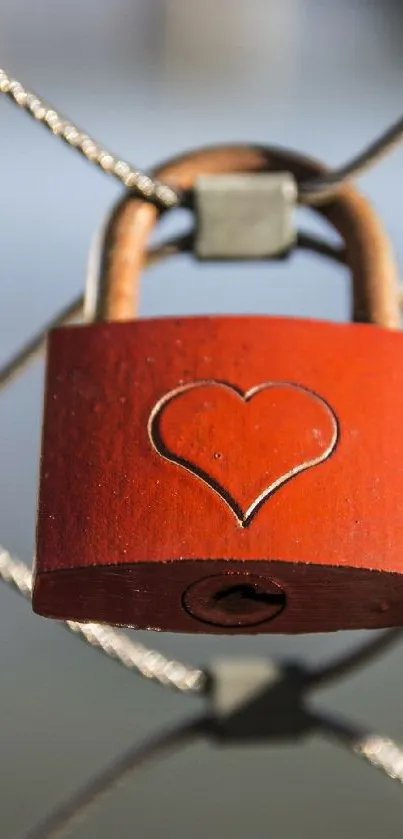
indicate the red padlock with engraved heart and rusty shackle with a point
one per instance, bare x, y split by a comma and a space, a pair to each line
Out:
226, 474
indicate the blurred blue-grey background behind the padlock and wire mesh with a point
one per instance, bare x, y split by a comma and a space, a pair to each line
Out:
150, 78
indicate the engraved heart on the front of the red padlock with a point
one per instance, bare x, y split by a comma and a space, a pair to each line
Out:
243, 444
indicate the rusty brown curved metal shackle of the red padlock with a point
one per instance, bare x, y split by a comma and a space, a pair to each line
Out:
368, 249
